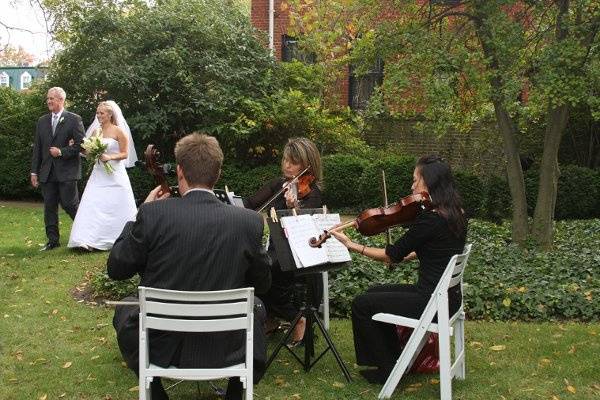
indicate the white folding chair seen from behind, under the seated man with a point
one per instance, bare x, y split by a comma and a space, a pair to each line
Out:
215, 311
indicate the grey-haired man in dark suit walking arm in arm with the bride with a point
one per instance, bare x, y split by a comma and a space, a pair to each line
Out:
55, 164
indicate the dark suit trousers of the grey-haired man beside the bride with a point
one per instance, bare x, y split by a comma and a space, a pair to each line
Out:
54, 192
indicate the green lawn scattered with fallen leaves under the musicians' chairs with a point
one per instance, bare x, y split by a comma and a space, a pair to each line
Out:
54, 347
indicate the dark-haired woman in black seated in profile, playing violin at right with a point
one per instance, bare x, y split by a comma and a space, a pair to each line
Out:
434, 237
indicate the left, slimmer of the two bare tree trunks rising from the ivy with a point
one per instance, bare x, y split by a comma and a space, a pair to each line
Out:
514, 172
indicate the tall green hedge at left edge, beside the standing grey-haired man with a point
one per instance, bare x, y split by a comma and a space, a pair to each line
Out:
18, 119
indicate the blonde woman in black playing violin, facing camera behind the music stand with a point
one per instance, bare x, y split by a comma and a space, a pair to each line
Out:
298, 154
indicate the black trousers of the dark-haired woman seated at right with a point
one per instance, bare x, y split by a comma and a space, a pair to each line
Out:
376, 343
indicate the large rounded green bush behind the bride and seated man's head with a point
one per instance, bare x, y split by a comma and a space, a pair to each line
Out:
174, 68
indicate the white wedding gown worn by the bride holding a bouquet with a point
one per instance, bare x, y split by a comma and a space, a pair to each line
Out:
106, 205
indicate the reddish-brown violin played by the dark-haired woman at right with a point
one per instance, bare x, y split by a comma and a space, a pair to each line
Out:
377, 220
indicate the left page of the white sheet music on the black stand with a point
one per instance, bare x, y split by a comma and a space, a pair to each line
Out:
299, 230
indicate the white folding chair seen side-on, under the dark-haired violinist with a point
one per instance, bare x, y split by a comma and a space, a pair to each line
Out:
446, 326
